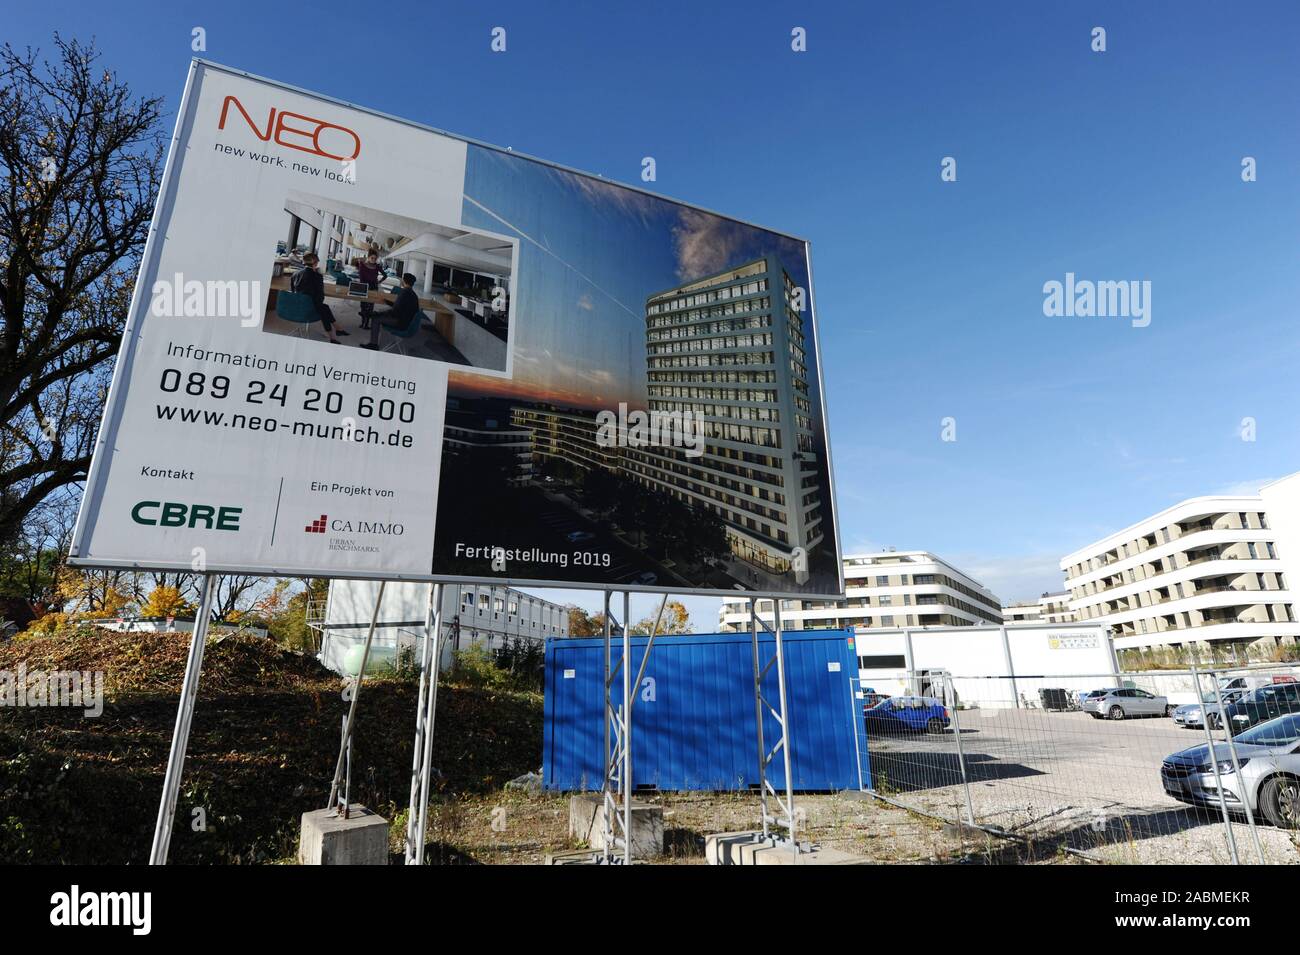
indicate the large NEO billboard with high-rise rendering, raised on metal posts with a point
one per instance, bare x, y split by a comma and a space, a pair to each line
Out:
361, 348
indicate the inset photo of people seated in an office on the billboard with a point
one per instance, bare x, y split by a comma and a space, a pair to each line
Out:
393, 284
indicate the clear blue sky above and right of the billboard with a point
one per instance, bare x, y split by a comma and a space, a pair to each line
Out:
1117, 166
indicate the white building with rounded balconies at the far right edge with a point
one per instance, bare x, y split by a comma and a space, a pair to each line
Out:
1207, 571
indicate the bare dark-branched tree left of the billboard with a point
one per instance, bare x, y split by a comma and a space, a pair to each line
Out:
80, 164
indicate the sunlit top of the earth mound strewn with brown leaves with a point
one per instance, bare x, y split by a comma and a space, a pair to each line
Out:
155, 662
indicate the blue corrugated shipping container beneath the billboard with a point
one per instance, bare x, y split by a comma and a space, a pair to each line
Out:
694, 719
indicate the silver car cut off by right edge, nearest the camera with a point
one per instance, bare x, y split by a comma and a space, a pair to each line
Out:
1269, 783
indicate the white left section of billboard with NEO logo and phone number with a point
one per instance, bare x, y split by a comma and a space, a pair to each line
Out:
239, 436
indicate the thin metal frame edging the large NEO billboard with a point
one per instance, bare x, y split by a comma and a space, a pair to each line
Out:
115, 405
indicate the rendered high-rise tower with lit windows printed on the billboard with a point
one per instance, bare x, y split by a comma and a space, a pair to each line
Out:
729, 350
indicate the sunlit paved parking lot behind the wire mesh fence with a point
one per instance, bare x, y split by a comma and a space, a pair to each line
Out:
1069, 779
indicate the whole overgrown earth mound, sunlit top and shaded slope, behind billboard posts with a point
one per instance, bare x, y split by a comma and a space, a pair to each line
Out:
262, 752
